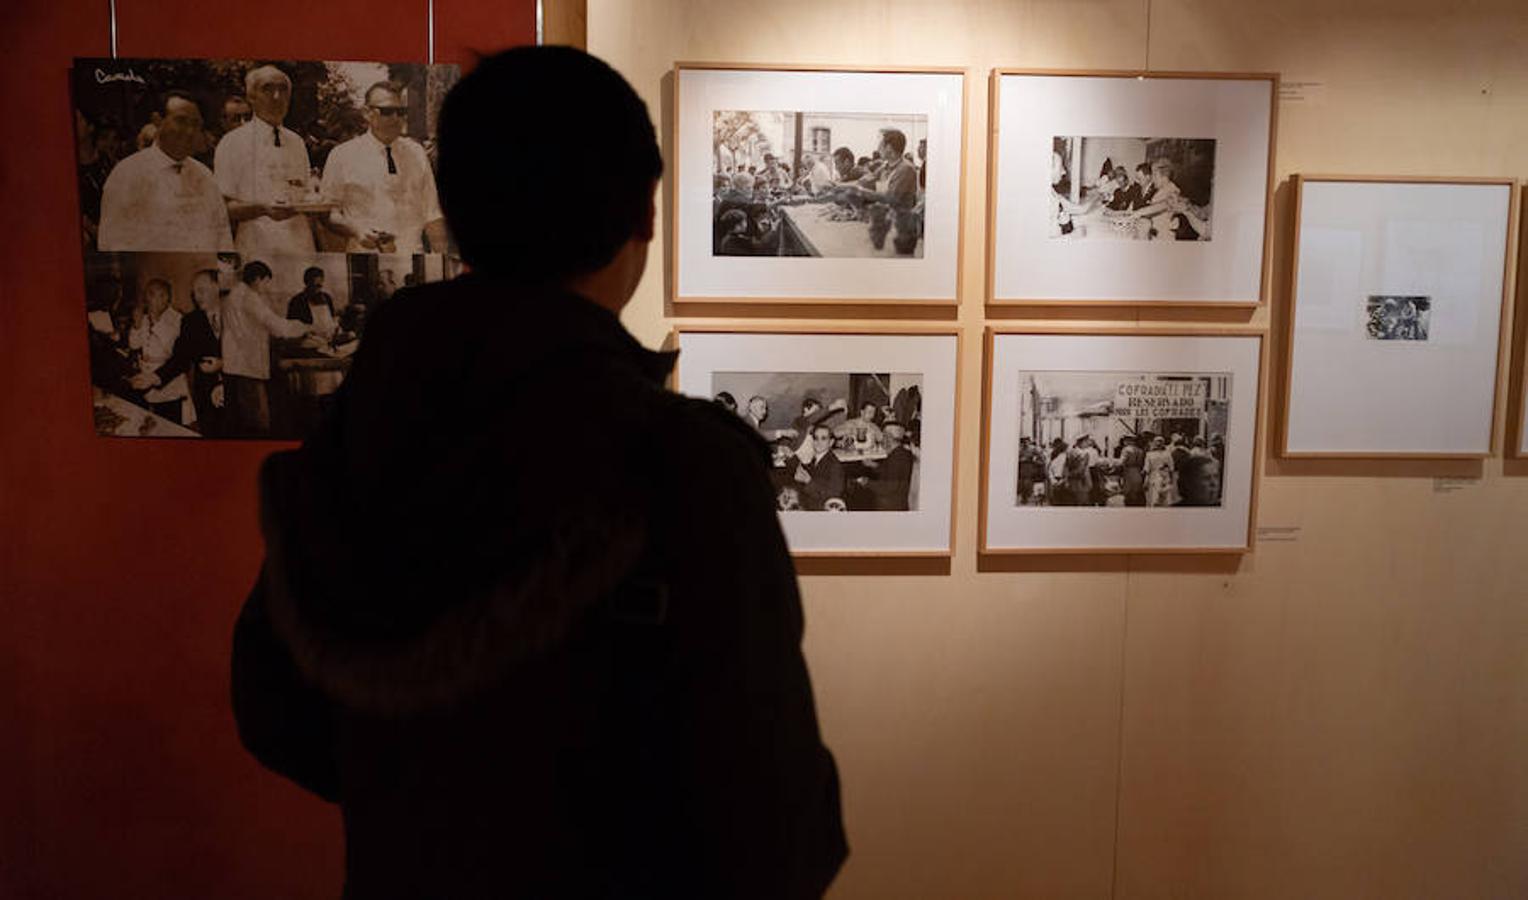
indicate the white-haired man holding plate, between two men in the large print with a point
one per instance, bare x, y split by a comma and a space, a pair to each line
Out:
262, 169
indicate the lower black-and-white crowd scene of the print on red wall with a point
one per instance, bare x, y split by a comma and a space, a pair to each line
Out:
219, 346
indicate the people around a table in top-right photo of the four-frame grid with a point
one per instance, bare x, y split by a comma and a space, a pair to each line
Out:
1147, 206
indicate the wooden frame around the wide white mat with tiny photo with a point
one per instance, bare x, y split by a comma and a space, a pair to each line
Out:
1298, 184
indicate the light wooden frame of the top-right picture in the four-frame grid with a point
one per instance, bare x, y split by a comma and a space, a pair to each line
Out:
994, 126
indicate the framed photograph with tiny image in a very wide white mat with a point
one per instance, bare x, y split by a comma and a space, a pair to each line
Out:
1396, 319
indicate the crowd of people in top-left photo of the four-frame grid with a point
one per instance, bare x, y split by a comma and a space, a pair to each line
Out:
884, 192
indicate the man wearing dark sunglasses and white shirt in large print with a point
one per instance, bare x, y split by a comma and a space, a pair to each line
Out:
383, 184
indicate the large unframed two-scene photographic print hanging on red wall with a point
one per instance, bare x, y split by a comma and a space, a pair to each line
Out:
239, 221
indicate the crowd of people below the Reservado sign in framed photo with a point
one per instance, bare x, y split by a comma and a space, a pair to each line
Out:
1145, 470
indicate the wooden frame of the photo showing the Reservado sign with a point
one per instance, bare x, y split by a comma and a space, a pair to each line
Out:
992, 332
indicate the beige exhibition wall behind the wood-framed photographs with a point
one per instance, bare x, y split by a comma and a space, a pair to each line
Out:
1342, 713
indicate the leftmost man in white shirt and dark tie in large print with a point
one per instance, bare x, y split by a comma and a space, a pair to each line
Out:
161, 199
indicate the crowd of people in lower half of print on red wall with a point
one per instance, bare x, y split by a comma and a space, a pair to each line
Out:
210, 358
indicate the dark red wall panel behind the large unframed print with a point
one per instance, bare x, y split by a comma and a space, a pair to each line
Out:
123, 563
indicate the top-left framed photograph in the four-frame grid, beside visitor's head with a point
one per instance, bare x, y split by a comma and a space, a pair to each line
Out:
817, 184
